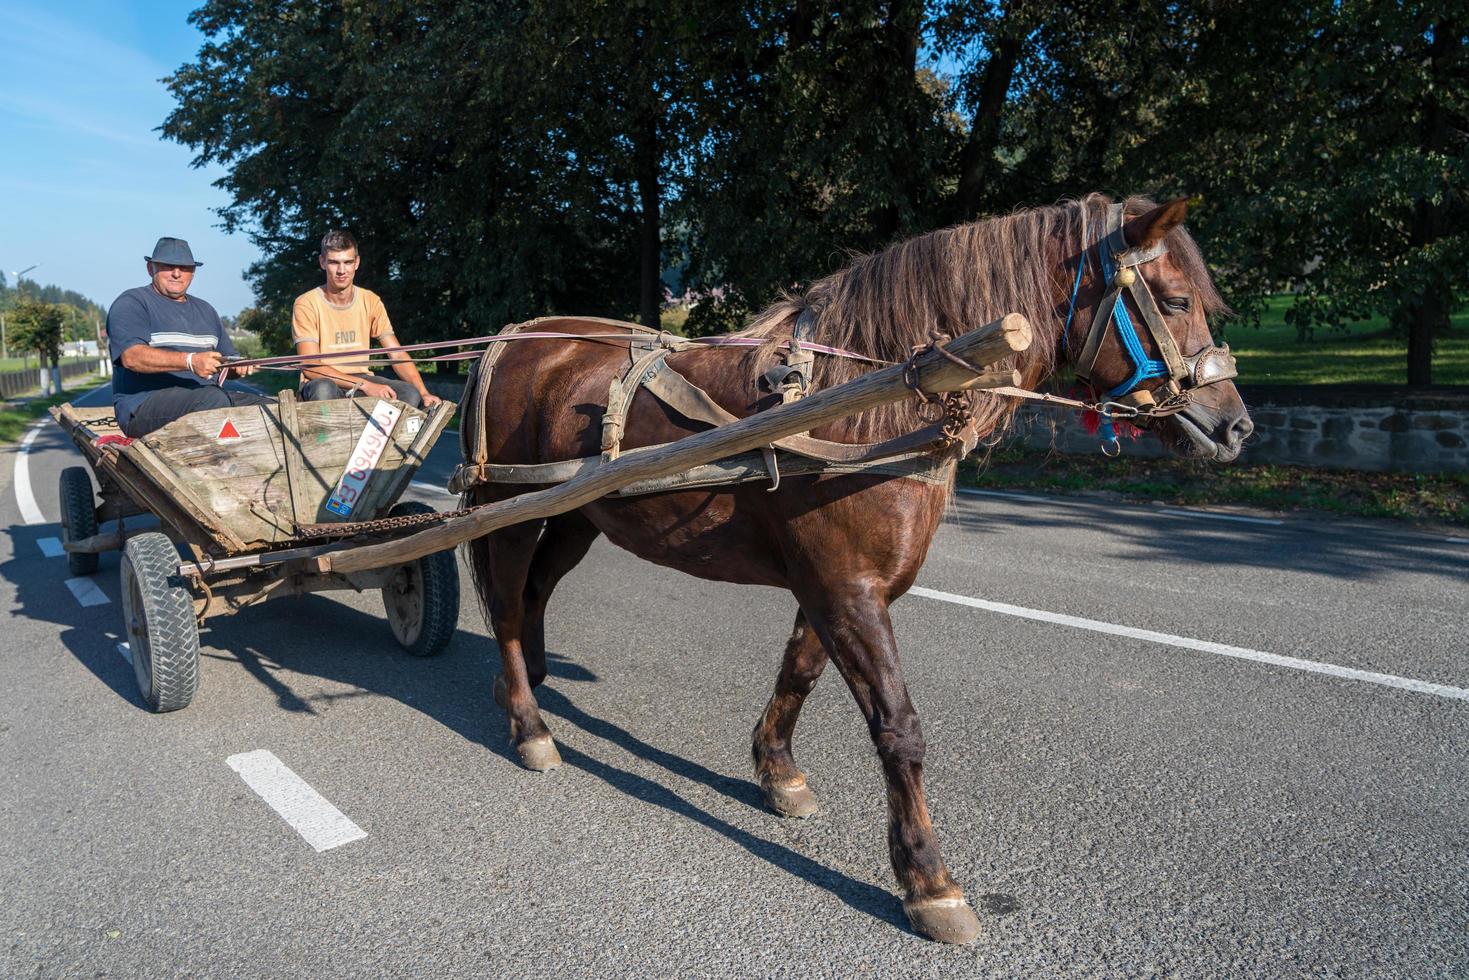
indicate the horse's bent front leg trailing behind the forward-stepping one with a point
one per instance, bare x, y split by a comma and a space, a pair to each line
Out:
781, 779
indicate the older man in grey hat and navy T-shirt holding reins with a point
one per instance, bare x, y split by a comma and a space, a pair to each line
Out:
168, 347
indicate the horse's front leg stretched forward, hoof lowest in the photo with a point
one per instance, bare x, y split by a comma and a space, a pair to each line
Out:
859, 634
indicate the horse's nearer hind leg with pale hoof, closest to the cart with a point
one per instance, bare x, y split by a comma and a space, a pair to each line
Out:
509, 555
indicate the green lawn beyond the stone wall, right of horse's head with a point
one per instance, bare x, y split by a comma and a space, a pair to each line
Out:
1364, 353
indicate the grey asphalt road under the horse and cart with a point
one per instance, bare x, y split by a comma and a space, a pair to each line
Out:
1114, 804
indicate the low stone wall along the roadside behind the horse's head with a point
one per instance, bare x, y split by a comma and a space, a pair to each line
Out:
1335, 427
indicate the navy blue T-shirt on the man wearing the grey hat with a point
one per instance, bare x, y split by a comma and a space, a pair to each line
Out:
143, 317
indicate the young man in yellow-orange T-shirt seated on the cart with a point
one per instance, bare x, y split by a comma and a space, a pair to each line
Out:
343, 318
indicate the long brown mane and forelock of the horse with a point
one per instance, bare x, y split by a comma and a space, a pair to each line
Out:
953, 281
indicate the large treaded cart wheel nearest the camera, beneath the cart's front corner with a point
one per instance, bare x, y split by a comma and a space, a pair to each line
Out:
158, 610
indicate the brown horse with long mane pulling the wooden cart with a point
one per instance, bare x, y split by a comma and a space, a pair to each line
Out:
845, 546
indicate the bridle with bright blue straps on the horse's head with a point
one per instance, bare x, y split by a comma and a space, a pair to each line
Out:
1183, 374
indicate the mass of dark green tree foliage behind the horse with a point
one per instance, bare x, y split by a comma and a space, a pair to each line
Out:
502, 159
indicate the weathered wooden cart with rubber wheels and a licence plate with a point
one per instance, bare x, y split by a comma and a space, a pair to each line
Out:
255, 496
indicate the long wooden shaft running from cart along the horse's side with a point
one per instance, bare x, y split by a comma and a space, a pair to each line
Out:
981, 347
